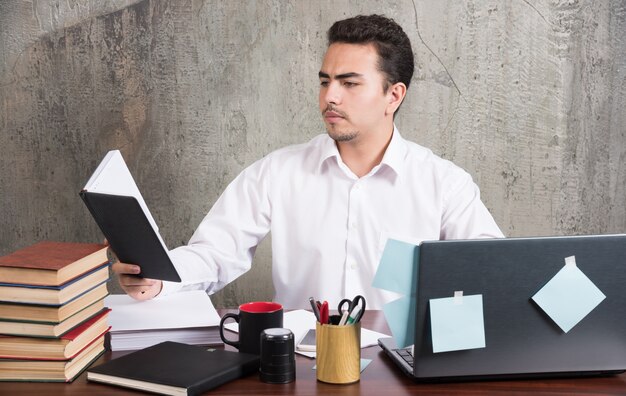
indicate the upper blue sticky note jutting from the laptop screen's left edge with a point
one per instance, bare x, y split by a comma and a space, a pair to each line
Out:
397, 270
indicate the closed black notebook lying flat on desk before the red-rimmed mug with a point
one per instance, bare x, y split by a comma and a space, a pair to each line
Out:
172, 368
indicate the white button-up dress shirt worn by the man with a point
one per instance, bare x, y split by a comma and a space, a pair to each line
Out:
328, 226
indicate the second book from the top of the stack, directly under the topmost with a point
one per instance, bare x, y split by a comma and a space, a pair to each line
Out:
54, 295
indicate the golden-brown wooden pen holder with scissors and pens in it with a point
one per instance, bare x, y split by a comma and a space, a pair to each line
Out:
338, 353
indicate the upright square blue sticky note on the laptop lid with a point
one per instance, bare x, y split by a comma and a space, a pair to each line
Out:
457, 323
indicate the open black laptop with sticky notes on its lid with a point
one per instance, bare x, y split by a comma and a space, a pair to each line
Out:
521, 340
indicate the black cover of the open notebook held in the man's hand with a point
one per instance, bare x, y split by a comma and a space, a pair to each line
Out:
132, 238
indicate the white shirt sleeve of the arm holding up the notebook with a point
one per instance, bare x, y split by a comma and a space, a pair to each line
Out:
222, 247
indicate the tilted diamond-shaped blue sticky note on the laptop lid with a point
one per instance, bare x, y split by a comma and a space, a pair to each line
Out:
569, 296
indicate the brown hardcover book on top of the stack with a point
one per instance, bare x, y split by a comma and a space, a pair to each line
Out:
50, 263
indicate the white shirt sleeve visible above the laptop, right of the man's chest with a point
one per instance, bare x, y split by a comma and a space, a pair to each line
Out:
464, 214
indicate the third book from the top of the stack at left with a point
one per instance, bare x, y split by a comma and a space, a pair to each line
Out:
52, 313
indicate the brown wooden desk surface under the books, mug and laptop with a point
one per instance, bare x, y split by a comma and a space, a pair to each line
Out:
380, 378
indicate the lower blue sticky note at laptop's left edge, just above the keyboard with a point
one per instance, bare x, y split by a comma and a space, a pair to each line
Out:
400, 315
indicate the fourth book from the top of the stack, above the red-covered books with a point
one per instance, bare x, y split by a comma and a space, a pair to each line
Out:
53, 330
